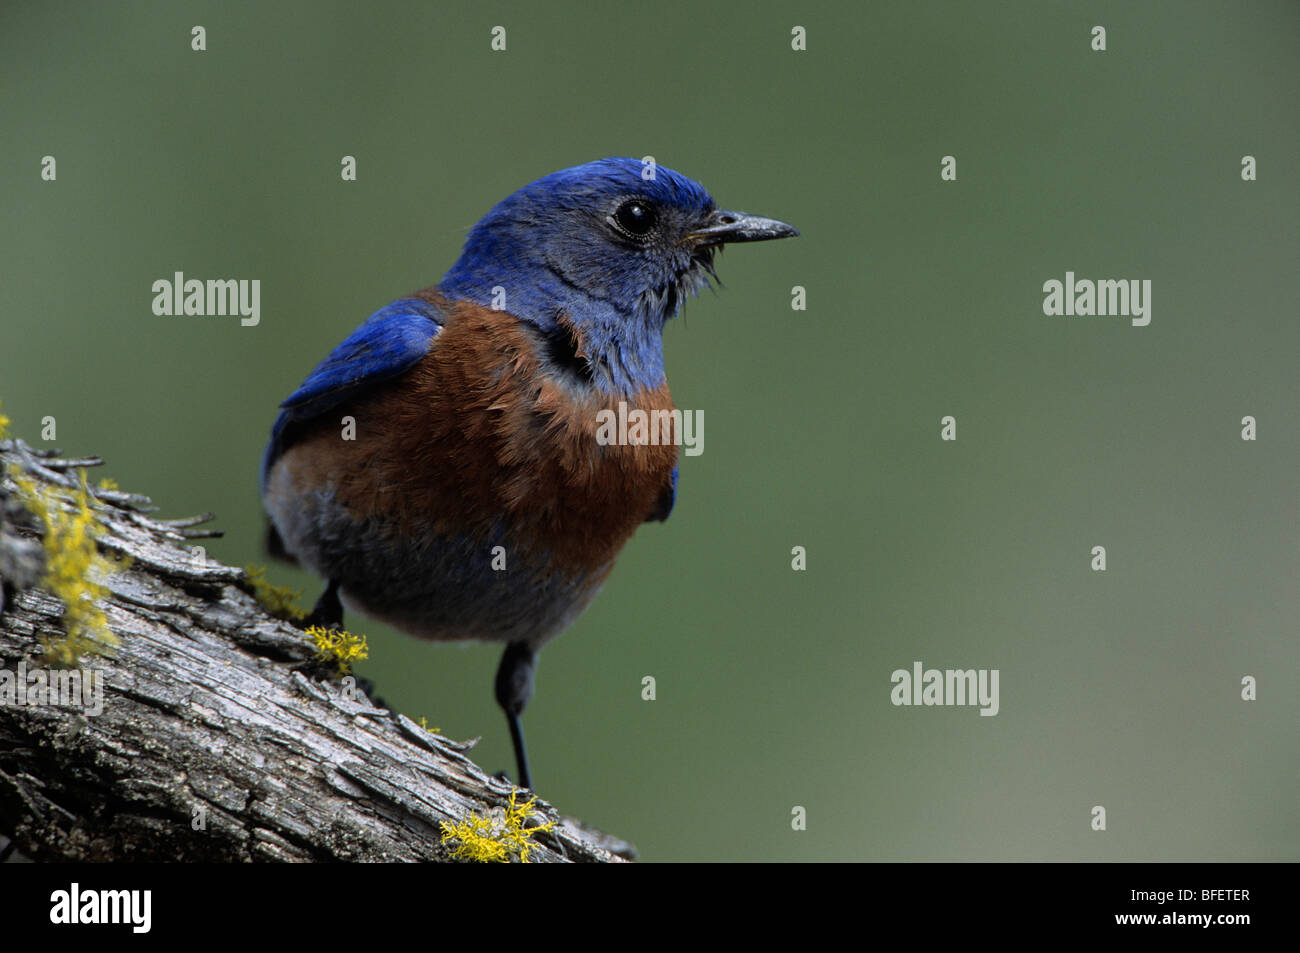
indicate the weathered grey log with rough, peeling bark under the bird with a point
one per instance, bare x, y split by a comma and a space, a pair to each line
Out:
222, 738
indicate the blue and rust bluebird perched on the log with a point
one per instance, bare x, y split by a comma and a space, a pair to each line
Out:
475, 405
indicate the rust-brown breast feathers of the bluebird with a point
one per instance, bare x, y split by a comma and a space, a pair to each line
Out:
484, 436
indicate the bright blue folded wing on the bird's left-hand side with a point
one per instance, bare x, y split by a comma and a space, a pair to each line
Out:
389, 343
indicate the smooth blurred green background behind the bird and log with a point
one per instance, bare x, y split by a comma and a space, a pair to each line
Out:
822, 427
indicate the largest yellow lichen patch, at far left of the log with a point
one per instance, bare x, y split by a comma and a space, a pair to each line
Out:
75, 568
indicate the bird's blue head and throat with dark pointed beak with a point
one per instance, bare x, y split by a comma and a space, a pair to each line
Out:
599, 258
